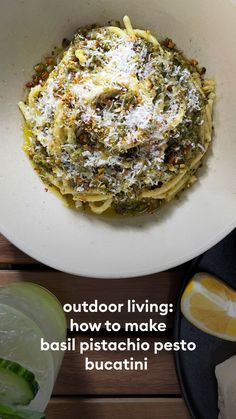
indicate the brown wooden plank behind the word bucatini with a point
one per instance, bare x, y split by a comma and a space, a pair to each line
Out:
160, 378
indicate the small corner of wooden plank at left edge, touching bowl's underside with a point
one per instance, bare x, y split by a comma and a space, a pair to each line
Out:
11, 254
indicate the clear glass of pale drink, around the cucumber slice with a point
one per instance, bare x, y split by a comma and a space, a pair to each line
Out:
30, 313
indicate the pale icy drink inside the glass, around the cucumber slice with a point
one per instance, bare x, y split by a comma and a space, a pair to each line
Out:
20, 341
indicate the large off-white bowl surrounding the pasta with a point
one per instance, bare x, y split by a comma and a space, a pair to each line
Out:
37, 222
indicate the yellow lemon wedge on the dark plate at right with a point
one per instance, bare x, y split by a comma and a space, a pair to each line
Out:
210, 305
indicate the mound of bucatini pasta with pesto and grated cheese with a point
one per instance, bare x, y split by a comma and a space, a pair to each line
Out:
122, 122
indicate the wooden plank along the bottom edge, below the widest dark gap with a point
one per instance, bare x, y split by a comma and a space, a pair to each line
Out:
117, 408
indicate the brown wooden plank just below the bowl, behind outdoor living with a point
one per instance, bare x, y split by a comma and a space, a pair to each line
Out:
158, 288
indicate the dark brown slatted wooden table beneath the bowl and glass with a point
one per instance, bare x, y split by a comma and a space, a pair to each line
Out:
103, 394
